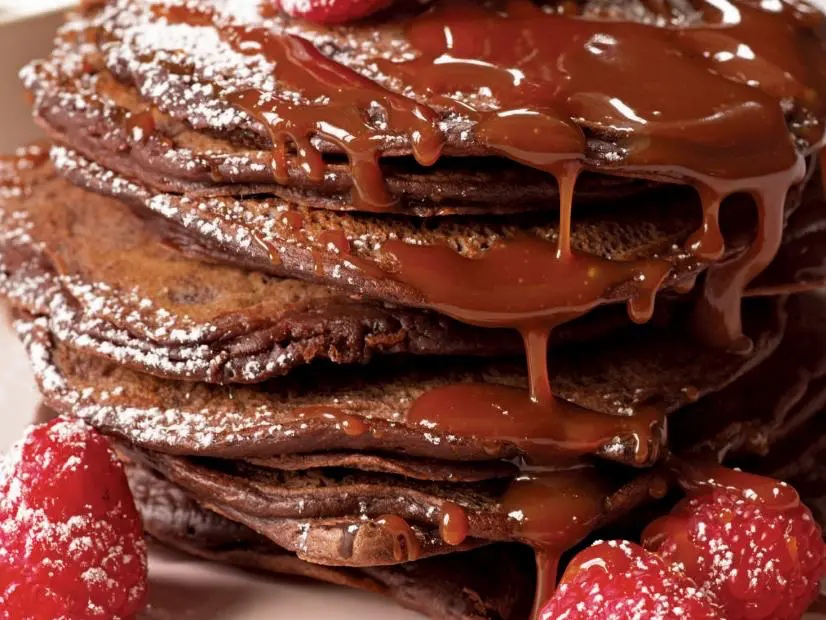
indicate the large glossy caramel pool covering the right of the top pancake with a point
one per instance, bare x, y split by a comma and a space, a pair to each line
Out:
711, 101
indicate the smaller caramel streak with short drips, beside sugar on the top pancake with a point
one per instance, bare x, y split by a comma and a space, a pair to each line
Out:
343, 116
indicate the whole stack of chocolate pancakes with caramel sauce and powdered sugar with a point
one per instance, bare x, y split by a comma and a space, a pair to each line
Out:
420, 304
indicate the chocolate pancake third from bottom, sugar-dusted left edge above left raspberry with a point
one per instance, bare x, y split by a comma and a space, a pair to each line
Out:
645, 371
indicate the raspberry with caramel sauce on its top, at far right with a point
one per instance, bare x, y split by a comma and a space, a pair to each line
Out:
760, 554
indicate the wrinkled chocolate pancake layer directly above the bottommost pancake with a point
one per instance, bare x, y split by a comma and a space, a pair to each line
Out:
340, 517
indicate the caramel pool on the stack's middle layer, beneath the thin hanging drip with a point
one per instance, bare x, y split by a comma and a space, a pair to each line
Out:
534, 285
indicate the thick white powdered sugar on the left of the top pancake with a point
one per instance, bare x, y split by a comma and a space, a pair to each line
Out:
139, 45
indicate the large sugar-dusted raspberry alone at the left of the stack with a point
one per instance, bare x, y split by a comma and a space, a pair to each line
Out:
71, 545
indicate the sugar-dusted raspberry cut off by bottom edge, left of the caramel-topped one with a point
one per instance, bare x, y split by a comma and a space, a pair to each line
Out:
617, 579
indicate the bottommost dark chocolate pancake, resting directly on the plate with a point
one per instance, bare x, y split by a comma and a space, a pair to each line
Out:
491, 583
